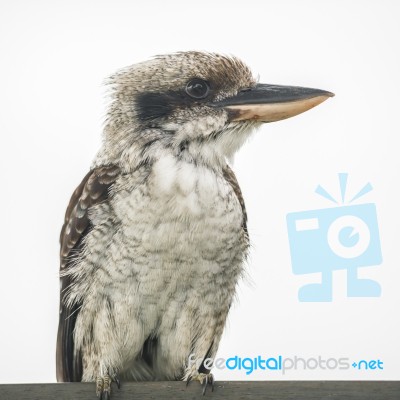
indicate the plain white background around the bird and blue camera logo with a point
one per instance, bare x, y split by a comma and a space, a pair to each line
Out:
54, 57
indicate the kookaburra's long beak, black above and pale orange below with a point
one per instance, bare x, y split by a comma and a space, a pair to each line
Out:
269, 103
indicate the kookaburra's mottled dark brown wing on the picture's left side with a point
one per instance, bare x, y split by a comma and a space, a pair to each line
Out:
93, 190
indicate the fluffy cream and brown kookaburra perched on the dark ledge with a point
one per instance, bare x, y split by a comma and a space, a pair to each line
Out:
155, 237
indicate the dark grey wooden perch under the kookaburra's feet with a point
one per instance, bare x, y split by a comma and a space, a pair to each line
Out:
270, 390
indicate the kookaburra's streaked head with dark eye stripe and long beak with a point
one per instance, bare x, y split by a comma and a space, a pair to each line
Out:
200, 106
